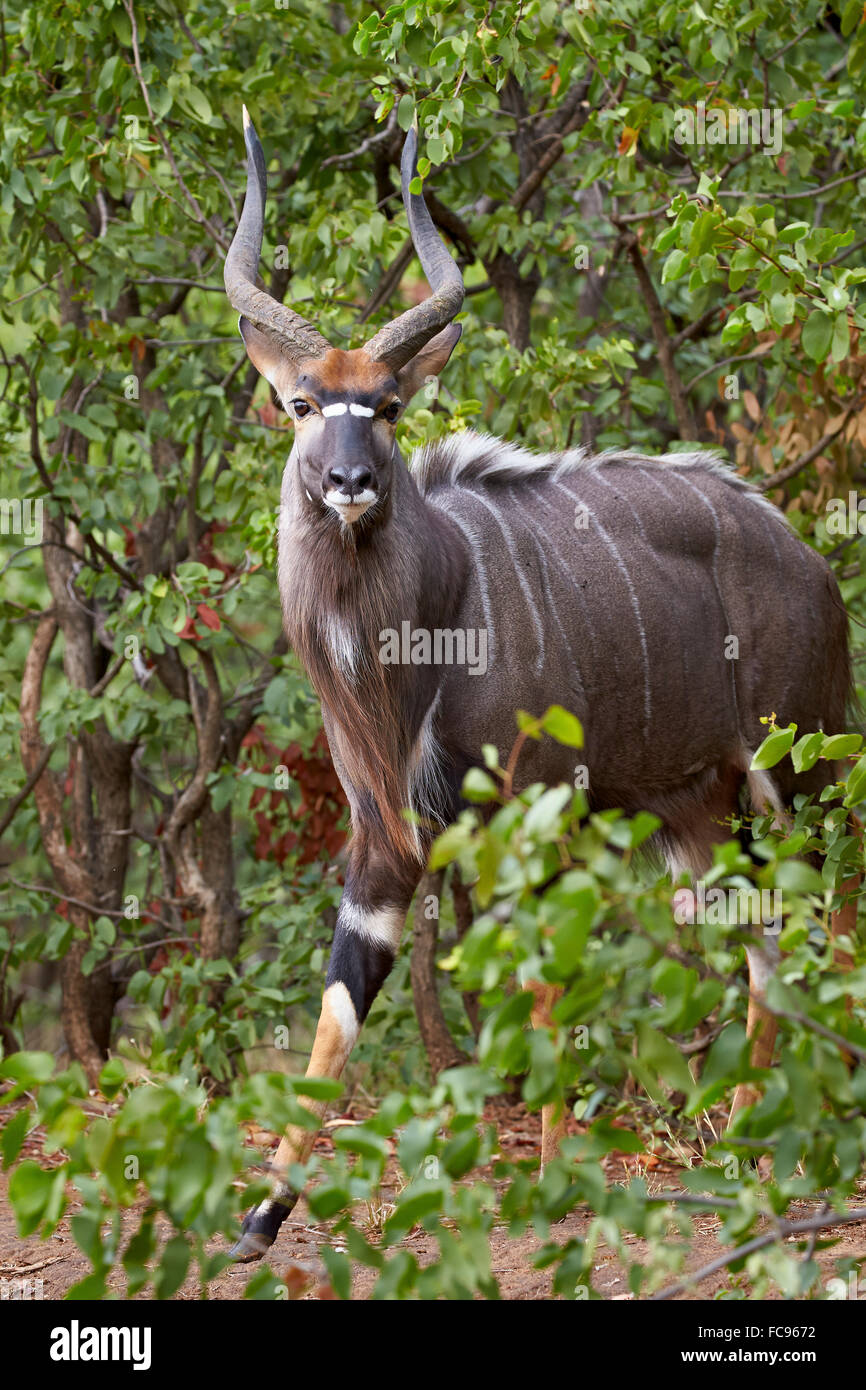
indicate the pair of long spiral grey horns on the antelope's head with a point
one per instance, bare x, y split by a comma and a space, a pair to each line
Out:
394, 344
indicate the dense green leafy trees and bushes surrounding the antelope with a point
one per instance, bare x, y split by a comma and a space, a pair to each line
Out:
173, 828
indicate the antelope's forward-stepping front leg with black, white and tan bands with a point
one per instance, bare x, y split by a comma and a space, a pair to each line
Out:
366, 939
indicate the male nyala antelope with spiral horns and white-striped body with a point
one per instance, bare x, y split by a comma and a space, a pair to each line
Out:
625, 619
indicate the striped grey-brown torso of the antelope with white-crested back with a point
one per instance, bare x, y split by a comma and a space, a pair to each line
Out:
664, 601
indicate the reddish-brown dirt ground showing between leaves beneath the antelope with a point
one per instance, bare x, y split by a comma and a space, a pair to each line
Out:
295, 1259
